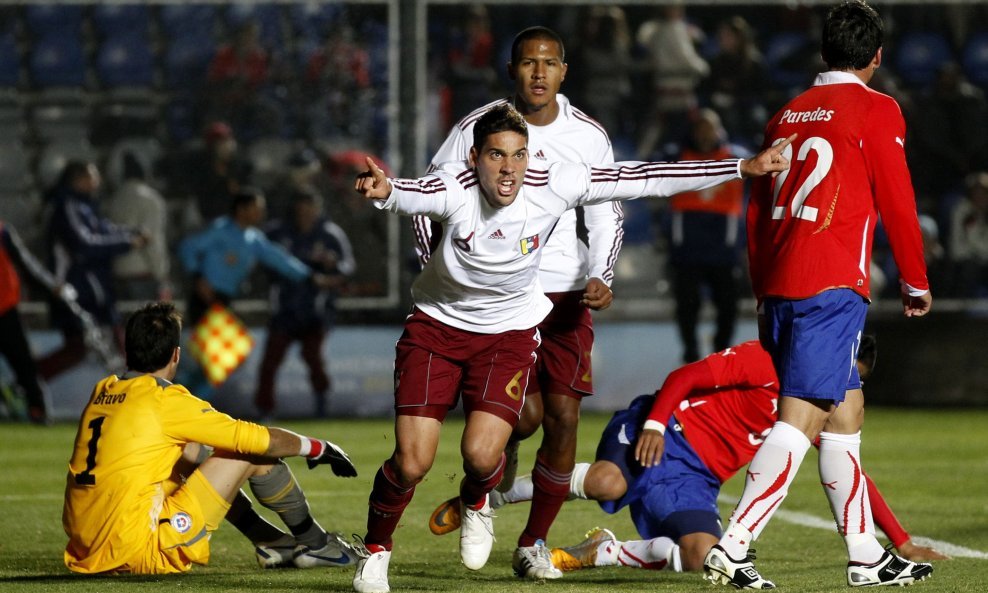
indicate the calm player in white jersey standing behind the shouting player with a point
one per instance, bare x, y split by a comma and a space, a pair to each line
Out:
575, 276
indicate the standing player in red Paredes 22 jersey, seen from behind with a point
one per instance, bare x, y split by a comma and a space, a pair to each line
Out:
810, 234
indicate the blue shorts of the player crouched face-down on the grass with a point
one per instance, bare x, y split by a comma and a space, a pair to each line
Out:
672, 499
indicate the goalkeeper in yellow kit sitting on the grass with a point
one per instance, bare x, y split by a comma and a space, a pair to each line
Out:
134, 503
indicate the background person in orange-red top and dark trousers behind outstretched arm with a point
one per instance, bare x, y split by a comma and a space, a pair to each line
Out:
704, 247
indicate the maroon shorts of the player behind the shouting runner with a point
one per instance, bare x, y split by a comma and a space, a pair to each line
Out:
564, 365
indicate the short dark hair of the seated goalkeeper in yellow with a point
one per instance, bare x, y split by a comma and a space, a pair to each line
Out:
153, 332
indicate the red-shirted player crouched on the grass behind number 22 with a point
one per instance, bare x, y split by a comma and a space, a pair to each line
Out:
718, 410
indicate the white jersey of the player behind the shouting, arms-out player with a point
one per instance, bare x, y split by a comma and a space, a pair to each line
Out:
572, 138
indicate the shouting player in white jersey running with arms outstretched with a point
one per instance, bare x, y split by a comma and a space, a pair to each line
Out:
472, 333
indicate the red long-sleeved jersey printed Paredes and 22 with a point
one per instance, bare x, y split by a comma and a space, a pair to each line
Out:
810, 228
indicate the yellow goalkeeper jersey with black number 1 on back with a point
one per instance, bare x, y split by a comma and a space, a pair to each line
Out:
130, 436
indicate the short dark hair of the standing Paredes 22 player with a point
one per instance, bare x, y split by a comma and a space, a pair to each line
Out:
852, 34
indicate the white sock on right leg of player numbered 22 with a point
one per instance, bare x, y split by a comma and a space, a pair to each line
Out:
844, 484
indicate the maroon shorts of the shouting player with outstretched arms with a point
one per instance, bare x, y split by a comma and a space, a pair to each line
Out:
436, 363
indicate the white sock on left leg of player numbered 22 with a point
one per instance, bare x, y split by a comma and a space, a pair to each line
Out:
767, 481
